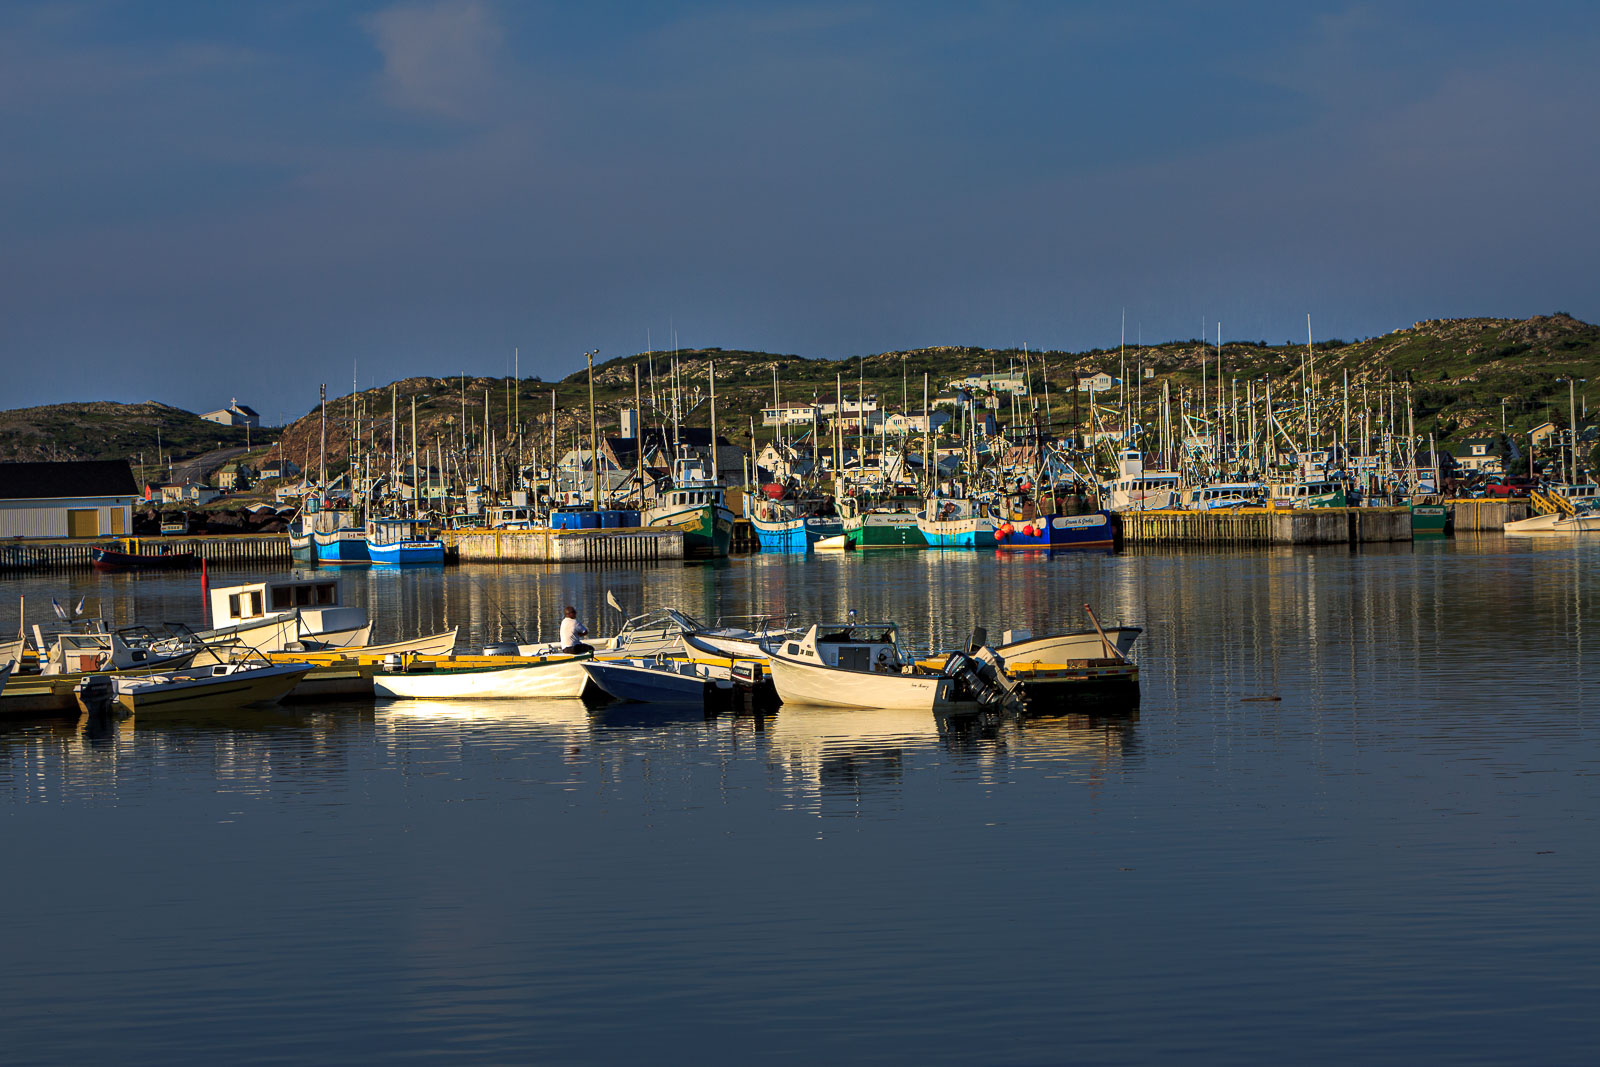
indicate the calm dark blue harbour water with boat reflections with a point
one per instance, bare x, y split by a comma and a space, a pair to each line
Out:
1393, 863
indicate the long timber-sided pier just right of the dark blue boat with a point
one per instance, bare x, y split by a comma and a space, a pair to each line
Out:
1265, 526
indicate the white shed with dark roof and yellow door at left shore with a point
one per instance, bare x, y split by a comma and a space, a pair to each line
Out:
66, 500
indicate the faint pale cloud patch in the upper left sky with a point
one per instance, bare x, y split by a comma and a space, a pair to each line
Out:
439, 58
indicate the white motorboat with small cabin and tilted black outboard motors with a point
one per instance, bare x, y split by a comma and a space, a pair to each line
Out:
862, 665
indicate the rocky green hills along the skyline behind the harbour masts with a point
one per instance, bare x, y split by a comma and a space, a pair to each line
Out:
1458, 370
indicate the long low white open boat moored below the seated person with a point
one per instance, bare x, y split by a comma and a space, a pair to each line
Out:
482, 677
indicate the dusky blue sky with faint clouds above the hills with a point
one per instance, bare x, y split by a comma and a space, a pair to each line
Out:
206, 201
